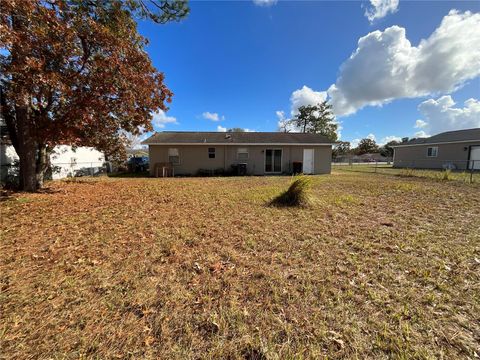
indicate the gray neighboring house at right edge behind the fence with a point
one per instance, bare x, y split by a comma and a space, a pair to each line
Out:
449, 150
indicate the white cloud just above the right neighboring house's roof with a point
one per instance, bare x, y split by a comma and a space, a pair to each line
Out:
441, 115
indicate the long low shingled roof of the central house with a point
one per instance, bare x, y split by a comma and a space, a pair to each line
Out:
233, 138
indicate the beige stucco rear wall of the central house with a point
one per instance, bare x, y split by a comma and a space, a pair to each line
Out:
195, 157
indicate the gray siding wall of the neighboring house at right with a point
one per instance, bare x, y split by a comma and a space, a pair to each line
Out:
416, 156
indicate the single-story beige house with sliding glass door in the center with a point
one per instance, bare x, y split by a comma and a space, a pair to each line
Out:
249, 153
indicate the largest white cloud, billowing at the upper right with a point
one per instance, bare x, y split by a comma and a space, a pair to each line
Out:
385, 66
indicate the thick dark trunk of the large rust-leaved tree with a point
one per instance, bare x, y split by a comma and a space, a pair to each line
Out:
26, 150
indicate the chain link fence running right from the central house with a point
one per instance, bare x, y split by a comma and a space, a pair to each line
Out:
459, 170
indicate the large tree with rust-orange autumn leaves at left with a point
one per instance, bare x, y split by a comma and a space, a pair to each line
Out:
76, 72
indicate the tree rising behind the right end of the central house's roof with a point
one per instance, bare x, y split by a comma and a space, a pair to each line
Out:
318, 119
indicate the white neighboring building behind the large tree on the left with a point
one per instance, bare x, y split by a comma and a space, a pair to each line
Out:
65, 161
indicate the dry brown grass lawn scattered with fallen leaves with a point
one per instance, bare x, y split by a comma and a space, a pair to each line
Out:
377, 267
